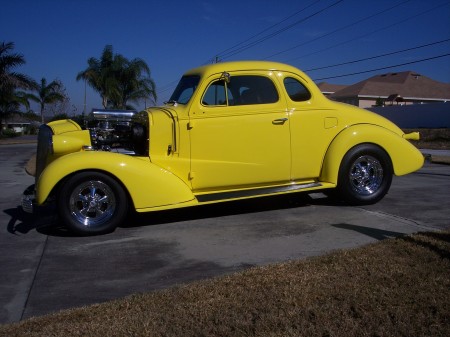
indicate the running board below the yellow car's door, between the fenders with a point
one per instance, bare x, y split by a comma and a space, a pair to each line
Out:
254, 192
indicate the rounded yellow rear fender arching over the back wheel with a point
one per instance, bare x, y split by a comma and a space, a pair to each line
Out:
405, 157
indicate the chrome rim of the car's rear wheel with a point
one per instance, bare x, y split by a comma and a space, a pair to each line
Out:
366, 175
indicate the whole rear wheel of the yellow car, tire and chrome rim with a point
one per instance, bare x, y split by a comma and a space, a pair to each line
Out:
365, 175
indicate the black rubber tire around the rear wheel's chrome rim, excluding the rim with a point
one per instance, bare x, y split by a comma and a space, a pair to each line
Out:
344, 187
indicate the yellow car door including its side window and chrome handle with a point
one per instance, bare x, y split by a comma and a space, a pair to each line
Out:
239, 132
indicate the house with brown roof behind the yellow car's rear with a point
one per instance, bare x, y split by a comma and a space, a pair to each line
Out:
401, 88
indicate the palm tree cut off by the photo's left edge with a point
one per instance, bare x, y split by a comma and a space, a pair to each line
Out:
11, 98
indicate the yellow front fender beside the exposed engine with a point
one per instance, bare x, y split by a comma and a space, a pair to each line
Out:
148, 184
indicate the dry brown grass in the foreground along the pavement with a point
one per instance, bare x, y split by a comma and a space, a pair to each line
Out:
398, 287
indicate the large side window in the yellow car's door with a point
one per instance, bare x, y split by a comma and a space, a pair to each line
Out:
241, 90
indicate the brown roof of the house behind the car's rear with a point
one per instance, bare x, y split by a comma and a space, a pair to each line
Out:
407, 84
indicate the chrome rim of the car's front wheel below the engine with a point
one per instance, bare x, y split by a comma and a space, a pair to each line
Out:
92, 203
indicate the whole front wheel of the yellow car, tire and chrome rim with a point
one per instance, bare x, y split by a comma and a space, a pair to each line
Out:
92, 203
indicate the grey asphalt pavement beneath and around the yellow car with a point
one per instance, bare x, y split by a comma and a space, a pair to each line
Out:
44, 269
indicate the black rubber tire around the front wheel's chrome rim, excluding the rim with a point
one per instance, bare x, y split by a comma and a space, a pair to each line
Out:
73, 225
